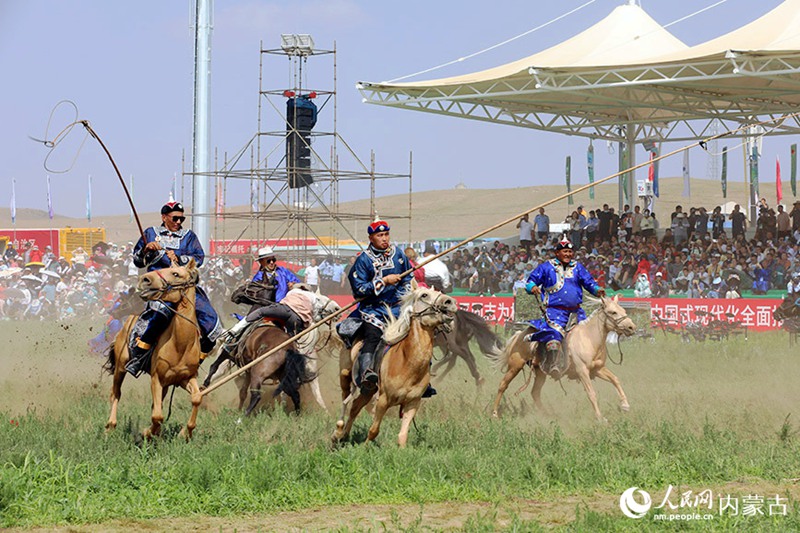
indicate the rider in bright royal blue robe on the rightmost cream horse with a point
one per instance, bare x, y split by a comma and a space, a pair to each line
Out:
560, 283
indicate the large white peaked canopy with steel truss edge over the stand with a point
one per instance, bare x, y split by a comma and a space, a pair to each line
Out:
628, 79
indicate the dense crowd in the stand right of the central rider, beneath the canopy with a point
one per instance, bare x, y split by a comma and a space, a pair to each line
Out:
698, 254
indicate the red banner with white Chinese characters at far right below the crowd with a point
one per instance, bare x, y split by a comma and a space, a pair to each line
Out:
752, 313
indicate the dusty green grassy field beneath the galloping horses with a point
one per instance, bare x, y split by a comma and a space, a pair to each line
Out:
710, 416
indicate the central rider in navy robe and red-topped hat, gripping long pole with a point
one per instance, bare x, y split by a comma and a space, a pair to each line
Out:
376, 280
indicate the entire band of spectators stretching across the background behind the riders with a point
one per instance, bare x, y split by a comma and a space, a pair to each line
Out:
698, 254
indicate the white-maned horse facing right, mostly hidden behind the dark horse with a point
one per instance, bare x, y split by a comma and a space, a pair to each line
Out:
321, 340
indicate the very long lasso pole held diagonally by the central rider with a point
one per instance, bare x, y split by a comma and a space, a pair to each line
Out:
327, 319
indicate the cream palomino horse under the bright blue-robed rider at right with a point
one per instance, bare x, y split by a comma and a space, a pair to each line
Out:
586, 351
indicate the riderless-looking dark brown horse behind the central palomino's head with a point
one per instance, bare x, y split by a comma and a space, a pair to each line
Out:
455, 344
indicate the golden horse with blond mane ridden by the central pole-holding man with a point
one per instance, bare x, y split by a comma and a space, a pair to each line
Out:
405, 369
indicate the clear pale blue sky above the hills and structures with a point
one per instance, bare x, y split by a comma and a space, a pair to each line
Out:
129, 66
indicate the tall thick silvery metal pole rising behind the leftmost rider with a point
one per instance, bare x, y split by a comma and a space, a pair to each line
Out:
201, 139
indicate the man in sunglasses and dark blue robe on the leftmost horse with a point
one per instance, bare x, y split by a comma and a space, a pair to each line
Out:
162, 247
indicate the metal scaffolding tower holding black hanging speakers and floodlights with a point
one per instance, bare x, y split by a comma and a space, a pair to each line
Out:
300, 221
